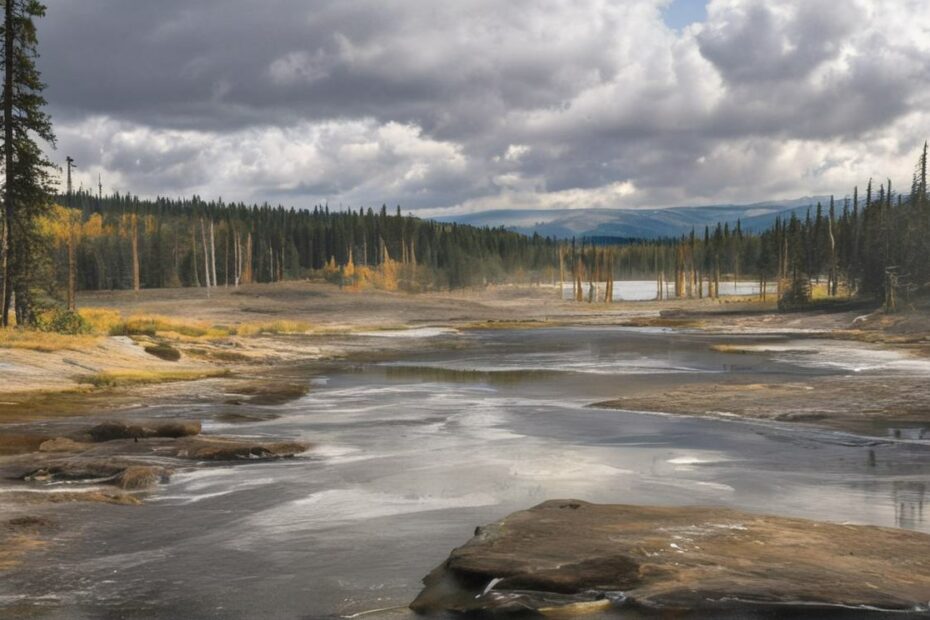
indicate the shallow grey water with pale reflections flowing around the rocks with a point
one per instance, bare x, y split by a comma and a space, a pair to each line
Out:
411, 454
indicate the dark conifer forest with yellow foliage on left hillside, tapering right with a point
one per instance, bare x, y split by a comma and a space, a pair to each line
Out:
122, 241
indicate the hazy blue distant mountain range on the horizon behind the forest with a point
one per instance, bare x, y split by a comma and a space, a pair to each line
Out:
636, 223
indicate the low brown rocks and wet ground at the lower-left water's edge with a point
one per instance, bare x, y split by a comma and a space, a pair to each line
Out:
114, 462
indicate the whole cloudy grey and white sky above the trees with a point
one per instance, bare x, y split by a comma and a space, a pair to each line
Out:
462, 105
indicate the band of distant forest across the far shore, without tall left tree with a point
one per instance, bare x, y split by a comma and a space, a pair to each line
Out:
872, 245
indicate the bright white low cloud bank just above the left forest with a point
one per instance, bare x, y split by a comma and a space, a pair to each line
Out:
348, 161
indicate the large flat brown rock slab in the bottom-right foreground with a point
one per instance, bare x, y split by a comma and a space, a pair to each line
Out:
570, 554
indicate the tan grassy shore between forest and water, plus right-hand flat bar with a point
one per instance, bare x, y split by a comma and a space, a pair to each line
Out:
109, 375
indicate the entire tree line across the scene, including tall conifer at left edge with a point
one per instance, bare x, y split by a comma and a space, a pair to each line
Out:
872, 244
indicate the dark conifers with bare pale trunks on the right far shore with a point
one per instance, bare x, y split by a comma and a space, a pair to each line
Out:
872, 244
